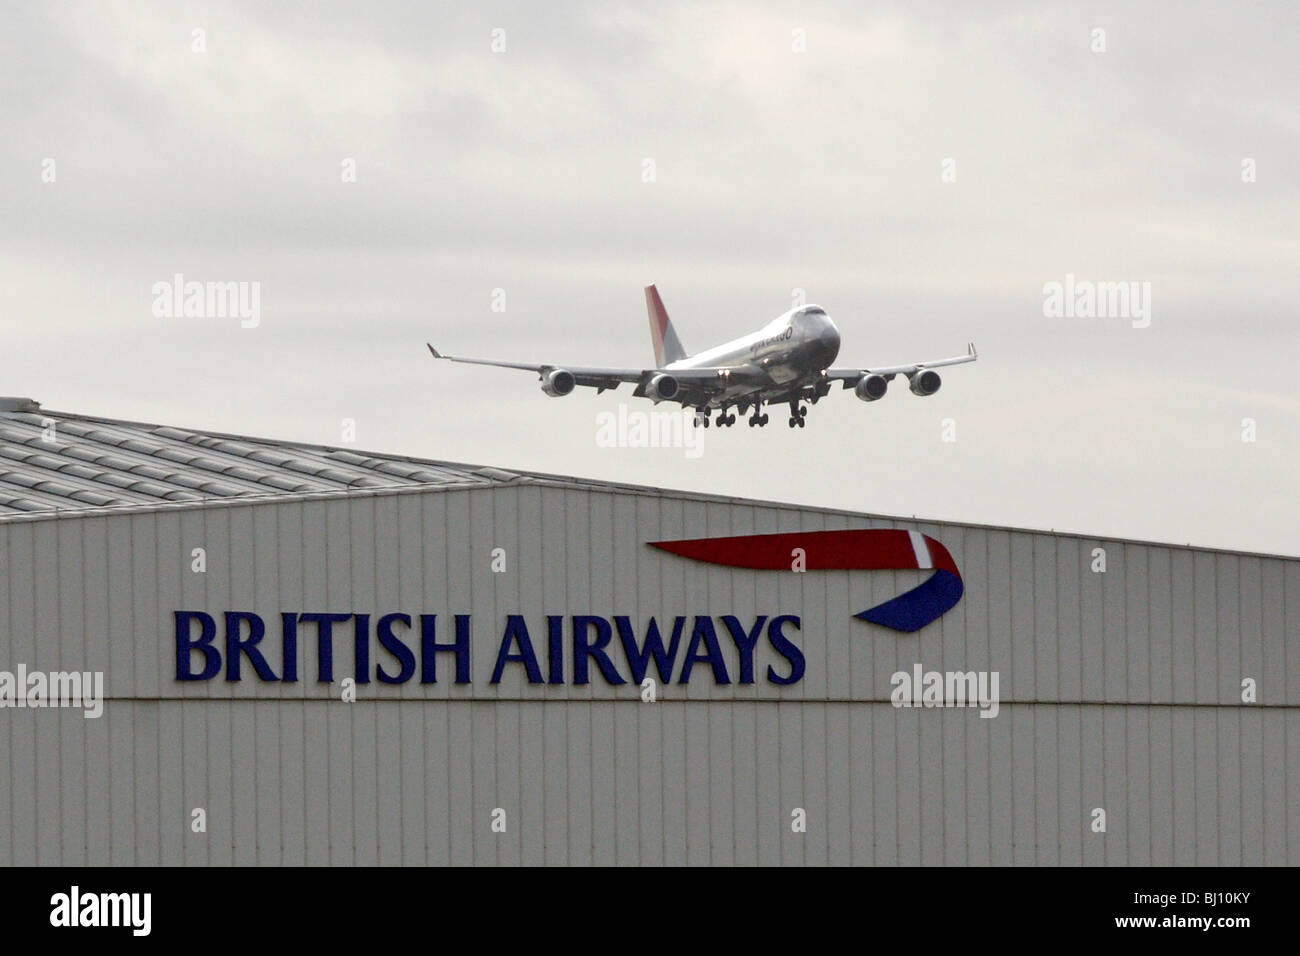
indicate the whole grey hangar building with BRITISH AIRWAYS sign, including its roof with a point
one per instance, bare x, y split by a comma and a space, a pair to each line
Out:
322, 656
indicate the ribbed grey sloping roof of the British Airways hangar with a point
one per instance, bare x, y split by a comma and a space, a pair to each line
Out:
55, 462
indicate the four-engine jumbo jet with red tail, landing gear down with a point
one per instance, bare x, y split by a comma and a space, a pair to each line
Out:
788, 361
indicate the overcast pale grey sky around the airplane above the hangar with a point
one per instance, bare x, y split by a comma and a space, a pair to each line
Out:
774, 171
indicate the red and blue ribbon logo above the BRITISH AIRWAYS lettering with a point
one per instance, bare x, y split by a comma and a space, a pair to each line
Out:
870, 550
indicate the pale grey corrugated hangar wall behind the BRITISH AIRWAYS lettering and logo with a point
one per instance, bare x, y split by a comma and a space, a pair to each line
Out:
1120, 691
